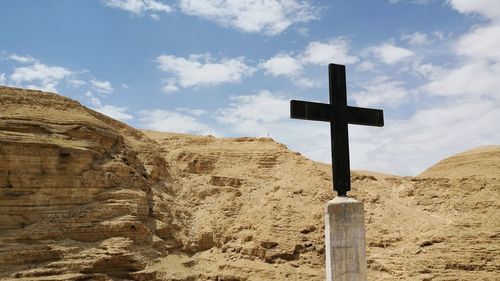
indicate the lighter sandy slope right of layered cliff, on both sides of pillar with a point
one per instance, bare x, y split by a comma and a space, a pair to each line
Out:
259, 208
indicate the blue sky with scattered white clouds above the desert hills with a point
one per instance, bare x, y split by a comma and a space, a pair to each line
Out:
229, 68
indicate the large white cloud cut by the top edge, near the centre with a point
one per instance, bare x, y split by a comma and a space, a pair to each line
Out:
270, 17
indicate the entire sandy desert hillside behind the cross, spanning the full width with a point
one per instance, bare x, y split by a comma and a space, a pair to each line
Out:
85, 197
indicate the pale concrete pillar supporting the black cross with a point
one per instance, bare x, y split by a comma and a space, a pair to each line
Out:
345, 240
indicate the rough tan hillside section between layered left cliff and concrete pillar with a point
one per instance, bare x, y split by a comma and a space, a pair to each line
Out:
253, 209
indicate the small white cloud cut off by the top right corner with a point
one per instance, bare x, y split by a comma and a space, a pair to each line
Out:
487, 8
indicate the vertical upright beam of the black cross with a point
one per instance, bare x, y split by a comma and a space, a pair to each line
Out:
339, 131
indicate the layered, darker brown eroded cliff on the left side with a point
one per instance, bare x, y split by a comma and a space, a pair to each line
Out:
77, 189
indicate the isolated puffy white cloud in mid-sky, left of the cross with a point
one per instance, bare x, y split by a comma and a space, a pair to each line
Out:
201, 70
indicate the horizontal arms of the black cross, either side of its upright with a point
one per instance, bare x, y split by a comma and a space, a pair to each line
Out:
323, 112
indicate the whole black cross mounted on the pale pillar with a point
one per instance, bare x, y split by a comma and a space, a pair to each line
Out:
339, 115
